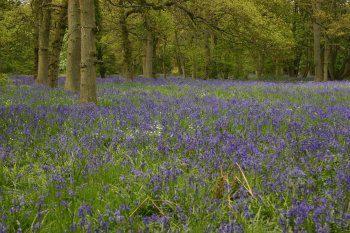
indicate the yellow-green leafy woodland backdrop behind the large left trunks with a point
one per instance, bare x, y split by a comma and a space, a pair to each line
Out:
198, 38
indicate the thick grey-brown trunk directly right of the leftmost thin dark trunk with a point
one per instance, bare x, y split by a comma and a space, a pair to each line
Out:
44, 33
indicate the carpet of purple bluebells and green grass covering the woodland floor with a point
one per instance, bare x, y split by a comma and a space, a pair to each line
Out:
175, 155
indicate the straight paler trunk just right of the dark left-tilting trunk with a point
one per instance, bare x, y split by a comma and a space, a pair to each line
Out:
149, 52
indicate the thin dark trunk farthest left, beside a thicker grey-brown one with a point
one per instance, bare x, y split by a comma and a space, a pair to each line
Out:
36, 11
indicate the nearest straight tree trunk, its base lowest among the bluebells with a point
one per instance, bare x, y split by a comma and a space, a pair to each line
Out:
88, 93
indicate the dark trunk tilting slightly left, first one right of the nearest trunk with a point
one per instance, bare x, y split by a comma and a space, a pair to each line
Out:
128, 68
